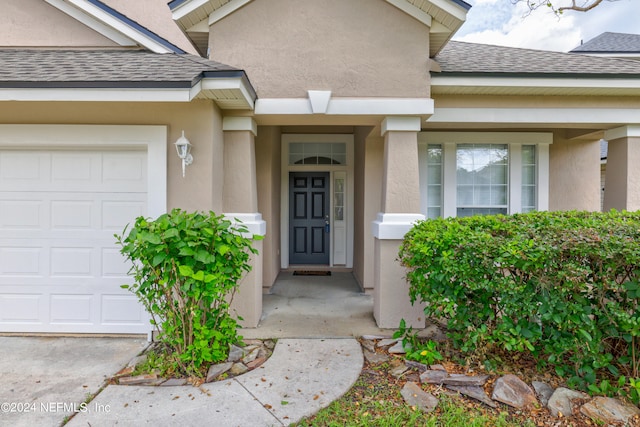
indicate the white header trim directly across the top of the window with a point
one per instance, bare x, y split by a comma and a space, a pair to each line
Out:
486, 137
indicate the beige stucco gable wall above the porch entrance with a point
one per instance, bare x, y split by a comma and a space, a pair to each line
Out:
290, 46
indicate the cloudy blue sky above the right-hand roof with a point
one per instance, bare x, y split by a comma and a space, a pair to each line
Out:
499, 22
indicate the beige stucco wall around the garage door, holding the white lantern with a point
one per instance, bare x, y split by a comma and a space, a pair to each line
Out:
201, 189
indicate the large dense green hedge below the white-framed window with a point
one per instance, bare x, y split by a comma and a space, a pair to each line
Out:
563, 286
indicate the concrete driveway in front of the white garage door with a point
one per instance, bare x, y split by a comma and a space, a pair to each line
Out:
44, 380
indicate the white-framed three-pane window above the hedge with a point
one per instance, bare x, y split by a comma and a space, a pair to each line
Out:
465, 173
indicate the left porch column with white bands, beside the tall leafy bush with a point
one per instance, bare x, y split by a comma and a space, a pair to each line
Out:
240, 201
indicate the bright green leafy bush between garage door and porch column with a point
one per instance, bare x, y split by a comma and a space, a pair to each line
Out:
186, 268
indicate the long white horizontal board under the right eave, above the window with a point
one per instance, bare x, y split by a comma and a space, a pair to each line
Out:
535, 115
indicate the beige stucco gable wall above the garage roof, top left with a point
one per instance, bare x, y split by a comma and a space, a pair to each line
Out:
34, 23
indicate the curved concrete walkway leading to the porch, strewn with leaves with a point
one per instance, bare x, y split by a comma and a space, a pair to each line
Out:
301, 377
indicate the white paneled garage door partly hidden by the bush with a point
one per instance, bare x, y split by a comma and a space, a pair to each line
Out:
60, 268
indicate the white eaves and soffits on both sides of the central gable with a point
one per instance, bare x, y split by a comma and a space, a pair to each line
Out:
443, 17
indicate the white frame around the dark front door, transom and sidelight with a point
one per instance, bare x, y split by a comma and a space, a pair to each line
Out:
332, 169
